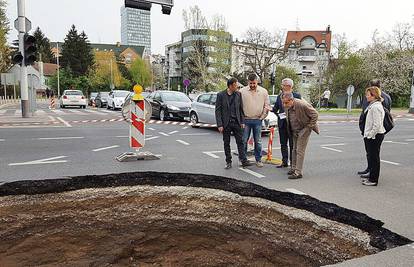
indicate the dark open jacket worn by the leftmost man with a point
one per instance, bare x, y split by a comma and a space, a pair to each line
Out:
223, 109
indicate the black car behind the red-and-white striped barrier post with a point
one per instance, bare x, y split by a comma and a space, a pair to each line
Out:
170, 105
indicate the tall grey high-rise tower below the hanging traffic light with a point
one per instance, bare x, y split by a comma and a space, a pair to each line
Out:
136, 28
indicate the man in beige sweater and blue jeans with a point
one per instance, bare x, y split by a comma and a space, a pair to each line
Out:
256, 105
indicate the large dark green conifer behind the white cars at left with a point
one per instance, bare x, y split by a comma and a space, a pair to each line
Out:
77, 53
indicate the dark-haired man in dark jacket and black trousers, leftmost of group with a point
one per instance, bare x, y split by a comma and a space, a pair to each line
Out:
230, 118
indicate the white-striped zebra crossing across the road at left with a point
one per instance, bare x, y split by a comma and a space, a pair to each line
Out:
61, 112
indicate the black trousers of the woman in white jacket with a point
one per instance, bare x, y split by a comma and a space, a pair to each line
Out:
373, 147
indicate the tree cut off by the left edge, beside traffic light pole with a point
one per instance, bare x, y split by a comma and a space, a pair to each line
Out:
4, 30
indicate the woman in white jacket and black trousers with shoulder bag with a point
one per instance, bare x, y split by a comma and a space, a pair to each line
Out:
373, 134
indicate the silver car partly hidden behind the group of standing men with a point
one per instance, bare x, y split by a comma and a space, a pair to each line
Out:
203, 111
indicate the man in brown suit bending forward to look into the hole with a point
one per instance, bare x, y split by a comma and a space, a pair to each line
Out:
302, 118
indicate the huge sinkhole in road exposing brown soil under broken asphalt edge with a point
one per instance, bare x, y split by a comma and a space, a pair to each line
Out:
177, 219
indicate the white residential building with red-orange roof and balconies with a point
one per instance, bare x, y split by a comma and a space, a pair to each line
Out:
308, 52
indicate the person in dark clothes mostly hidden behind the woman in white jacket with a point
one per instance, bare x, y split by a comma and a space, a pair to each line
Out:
386, 103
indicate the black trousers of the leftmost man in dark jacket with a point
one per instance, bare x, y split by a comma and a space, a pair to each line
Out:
238, 134
